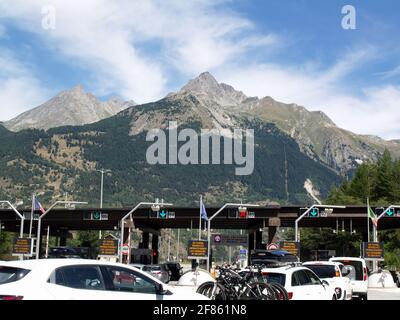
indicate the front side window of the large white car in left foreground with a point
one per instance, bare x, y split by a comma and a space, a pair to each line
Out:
130, 281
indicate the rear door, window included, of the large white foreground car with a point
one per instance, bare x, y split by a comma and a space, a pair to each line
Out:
77, 282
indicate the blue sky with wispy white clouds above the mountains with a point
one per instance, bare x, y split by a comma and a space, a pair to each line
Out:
295, 51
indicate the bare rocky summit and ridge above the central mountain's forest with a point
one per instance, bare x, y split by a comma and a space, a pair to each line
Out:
219, 105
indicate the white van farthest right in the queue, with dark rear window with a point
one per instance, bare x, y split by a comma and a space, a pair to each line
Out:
358, 275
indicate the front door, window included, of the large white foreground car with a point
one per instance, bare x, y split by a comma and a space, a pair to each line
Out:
127, 284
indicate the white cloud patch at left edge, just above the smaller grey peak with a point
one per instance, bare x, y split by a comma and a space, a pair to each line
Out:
19, 88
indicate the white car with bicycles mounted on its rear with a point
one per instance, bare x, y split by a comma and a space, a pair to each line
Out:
300, 283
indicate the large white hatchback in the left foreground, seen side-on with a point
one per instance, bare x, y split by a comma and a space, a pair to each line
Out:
79, 279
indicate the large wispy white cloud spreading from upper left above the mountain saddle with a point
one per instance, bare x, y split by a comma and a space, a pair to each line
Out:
107, 38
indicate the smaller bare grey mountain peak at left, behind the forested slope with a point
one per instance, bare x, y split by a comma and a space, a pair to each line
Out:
72, 107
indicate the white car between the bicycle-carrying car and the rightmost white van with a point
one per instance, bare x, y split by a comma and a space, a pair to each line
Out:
334, 273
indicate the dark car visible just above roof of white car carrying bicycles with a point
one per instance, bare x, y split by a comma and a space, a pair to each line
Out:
272, 258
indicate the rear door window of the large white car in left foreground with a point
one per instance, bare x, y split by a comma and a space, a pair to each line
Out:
78, 277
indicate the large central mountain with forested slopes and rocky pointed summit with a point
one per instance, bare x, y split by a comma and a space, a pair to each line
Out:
299, 155
